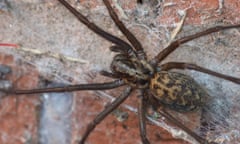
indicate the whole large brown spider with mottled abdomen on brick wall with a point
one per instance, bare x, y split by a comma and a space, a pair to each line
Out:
158, 86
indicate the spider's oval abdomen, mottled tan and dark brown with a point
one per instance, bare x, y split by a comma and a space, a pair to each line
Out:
177, 91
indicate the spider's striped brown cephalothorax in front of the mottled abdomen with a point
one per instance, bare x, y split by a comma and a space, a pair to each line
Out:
133, 71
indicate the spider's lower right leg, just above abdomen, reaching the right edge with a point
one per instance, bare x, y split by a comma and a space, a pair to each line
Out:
179, 65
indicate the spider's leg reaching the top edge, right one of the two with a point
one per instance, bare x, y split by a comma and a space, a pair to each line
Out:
132, 39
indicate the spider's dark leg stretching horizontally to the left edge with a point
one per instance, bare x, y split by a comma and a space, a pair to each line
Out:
69, 88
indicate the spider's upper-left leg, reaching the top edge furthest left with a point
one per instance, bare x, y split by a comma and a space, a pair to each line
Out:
124, 45
